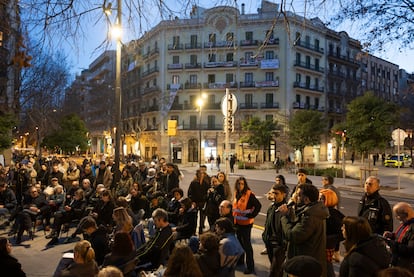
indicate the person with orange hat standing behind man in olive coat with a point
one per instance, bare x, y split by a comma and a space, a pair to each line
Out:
333, 228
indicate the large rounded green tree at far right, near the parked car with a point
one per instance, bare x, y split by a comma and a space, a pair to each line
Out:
369, 122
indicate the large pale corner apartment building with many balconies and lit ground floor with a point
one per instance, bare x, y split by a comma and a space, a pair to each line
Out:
272, 68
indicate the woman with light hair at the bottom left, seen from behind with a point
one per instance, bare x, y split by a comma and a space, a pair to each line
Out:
84, 261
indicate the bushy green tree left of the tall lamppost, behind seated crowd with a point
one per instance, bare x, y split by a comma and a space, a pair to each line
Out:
70, 135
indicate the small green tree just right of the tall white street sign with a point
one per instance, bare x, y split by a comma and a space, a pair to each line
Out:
259, 133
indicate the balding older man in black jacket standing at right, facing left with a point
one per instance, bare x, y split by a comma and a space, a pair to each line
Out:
375, 208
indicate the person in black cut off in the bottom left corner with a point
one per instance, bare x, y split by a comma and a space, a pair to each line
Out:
9, 264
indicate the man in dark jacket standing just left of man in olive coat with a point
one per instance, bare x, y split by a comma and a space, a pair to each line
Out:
273, 236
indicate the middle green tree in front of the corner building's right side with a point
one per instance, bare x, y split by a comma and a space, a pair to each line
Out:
305, 129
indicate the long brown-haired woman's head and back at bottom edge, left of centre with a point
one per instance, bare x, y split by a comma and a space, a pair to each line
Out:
182, 263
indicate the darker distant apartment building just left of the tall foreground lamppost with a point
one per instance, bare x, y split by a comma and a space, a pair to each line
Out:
92, 96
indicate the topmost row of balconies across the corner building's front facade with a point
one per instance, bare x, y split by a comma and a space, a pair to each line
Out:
220, 44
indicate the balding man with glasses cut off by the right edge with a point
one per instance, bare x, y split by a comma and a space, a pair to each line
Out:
401, 241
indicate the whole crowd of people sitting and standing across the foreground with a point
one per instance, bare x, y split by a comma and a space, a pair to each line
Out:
139, 219
